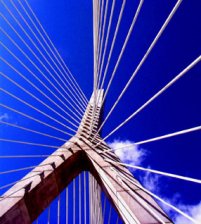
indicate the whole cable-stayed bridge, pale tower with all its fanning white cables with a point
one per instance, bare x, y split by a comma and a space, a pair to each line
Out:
87, 179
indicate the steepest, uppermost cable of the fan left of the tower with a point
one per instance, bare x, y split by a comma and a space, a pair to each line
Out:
66, 70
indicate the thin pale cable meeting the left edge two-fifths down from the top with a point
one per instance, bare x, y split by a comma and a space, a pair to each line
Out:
34, 108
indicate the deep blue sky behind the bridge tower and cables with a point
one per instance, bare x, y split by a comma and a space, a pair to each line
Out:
69, 25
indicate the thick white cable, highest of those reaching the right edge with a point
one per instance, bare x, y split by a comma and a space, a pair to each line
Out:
156, 95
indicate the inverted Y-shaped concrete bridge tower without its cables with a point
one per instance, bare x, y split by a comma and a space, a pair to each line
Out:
27, 199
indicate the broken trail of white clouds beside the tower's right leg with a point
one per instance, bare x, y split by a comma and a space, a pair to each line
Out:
134, 155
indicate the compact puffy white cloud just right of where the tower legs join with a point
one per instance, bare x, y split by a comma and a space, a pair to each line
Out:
131, 154
